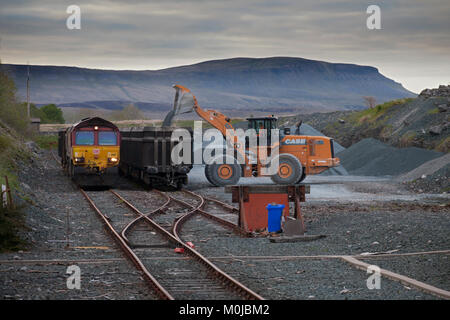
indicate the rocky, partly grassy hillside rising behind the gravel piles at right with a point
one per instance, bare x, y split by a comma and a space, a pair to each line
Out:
421, 122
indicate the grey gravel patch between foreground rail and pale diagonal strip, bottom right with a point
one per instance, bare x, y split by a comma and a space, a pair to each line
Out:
314, 279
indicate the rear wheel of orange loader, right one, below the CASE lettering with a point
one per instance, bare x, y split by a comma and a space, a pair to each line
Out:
289, 171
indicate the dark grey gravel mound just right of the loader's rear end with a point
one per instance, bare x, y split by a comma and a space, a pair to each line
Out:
370, 157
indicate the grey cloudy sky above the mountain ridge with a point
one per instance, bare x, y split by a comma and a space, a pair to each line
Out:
412, 46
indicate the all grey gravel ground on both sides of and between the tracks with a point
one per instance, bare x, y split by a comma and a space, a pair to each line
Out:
398, 224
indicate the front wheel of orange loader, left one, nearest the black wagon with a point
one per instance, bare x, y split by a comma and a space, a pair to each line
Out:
223, 174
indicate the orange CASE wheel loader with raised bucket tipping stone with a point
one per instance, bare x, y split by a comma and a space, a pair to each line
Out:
297, 156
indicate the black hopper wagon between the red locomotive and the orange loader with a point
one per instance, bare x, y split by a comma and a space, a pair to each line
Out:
146, 155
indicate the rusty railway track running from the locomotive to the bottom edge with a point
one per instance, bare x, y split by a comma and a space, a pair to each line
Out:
142, 237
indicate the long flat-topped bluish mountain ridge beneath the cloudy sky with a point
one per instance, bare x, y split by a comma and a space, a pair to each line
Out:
281, 84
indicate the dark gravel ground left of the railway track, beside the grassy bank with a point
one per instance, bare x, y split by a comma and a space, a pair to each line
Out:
105, 273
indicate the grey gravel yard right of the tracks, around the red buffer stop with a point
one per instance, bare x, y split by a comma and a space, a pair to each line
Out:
400, 222
